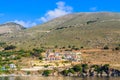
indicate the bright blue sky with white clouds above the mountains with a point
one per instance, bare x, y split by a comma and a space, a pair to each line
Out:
33, 12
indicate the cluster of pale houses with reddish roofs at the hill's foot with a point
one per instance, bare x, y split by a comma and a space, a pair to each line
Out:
67, 55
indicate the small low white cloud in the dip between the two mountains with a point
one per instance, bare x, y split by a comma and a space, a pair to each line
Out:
26, 24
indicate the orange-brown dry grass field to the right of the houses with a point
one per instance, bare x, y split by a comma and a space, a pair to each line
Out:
102, 57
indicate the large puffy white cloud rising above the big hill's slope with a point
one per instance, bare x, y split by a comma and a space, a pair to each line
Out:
60, 10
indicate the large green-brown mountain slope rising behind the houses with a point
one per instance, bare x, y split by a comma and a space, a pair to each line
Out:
89, 30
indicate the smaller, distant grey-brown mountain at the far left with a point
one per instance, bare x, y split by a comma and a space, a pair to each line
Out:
10, 28
